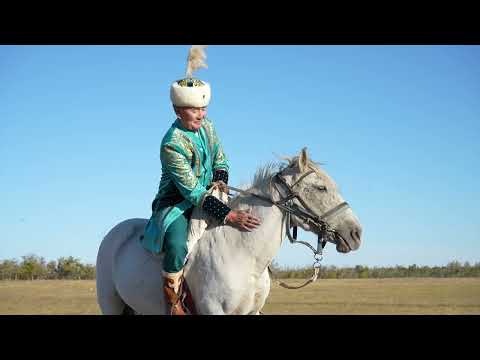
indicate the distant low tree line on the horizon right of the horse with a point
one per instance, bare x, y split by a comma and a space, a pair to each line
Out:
452, 269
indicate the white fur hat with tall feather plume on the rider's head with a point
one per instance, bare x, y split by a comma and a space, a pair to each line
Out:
190, 91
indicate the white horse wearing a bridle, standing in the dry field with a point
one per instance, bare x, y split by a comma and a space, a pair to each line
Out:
227, 270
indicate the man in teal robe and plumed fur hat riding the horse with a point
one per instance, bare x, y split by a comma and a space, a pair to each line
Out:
192, 161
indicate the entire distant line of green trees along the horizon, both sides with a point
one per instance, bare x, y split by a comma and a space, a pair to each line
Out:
33, 267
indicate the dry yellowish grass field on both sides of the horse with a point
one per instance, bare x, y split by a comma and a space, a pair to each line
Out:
420, 296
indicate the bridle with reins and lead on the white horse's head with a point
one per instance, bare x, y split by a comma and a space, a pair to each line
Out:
318, 223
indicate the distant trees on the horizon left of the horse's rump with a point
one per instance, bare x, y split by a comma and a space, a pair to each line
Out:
33, 267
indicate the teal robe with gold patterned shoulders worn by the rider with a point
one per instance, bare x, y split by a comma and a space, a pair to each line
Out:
189, 160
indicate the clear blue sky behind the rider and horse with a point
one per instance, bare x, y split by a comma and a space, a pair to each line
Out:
397, 128
